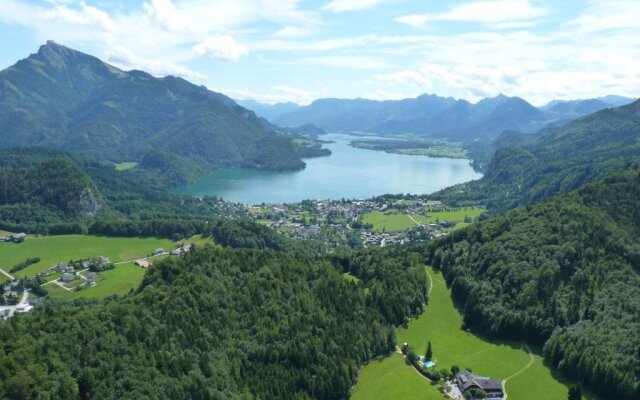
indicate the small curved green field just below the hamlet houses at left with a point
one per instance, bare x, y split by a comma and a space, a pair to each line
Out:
118, 281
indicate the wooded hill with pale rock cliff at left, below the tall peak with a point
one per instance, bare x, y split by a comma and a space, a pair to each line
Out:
49, 191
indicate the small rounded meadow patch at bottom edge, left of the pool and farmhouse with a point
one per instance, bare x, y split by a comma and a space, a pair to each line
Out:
390, 378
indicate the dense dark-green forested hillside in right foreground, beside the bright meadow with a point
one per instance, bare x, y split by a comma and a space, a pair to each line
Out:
564, 273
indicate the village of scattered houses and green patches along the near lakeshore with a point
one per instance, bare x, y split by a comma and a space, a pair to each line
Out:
375, 222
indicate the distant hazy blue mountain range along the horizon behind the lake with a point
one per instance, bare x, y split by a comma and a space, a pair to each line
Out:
434, 116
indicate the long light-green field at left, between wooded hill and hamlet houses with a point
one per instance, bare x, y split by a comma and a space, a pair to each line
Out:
55, 249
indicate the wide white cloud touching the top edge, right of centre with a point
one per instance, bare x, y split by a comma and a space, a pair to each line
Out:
498, 13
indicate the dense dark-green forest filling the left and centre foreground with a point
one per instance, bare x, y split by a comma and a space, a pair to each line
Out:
218, 324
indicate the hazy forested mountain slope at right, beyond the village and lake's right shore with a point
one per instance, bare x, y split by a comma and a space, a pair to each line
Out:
556, 160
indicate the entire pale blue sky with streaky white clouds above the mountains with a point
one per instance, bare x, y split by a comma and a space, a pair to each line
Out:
290, 50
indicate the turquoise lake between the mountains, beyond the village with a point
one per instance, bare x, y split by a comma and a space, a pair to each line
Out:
348, 173
